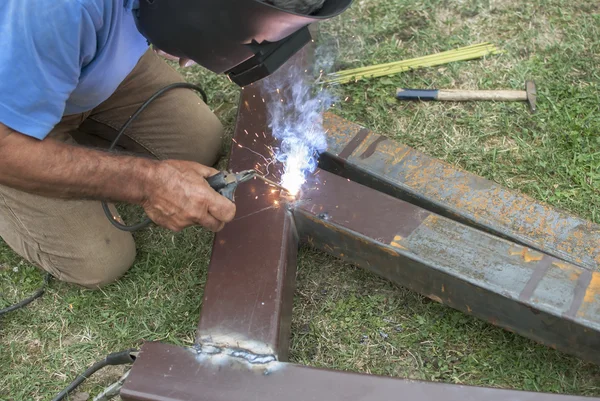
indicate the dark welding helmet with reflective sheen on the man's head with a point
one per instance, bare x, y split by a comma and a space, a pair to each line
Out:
245, 39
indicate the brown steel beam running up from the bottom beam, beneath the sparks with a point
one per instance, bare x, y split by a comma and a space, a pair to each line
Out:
251, 277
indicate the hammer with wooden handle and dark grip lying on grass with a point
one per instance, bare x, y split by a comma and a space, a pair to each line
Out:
528, 95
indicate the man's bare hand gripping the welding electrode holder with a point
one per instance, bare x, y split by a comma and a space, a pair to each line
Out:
178, 196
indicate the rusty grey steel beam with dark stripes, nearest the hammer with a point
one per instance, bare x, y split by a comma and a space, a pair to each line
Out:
375, 161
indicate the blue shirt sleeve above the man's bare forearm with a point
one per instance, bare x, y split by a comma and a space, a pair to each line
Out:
43, 47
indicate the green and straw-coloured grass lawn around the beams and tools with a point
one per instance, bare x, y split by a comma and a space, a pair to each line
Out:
346, 318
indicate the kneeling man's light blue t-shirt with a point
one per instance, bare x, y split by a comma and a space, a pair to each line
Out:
60, 57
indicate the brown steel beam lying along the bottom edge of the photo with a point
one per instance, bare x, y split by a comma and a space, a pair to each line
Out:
168, 373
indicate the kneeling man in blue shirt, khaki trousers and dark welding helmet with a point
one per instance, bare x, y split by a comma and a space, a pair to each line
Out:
72, 72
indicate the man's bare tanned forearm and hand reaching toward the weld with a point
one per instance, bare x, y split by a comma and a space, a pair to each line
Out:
174, 193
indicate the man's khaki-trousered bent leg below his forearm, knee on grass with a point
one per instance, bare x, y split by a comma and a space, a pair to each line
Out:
73, 240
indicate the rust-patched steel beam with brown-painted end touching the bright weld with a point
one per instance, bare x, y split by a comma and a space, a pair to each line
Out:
525, 291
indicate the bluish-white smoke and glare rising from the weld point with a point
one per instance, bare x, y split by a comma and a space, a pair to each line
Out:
295, 108
